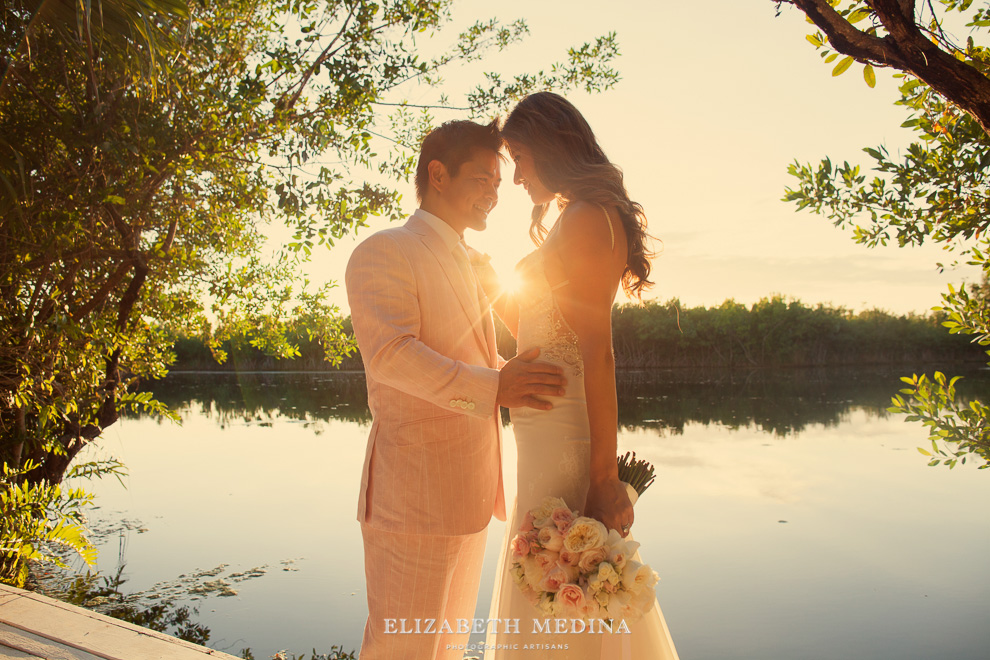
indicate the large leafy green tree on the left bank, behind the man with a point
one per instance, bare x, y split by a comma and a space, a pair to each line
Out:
148, 145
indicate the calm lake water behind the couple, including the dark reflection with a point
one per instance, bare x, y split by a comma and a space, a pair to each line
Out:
792, 517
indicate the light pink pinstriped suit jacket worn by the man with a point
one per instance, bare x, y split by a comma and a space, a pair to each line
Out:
433, 463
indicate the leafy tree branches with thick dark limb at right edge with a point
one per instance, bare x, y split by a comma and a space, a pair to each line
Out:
936, 191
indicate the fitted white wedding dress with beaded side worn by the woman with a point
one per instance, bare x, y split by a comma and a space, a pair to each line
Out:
553, 459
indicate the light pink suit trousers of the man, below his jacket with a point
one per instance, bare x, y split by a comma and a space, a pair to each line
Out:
425, 577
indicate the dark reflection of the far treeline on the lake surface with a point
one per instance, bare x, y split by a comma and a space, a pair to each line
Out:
781, 402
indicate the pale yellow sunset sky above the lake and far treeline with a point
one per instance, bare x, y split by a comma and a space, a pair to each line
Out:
716, 99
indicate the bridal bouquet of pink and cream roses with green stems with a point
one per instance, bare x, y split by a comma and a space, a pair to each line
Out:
572, 567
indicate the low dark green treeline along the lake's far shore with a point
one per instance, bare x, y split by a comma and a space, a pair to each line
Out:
774, 332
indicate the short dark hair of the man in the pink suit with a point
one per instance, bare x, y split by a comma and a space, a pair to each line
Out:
453, 143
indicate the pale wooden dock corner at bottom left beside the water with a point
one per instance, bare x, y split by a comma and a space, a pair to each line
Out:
54, 630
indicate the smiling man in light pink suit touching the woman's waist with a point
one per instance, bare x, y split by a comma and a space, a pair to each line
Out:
432, 474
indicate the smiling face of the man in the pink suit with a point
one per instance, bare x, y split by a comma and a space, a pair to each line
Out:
473, 192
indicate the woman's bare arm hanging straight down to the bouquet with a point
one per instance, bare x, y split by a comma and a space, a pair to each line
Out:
586, 304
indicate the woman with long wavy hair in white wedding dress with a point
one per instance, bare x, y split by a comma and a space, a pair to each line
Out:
564, 308
